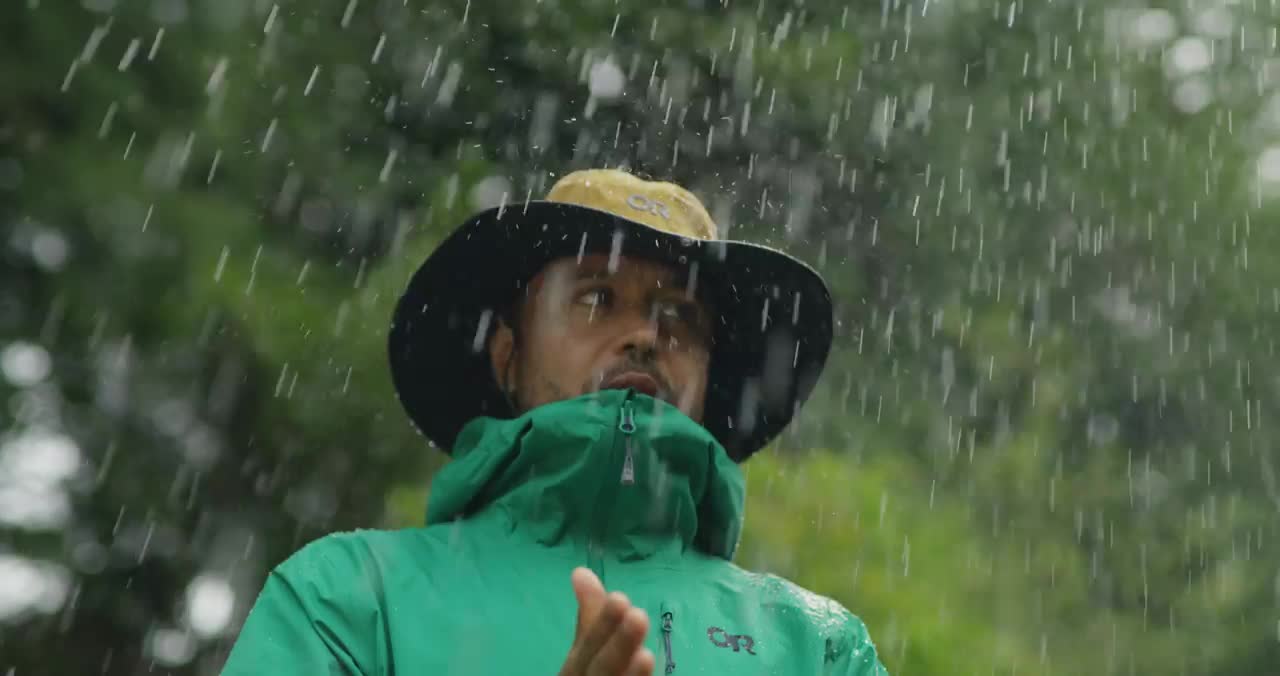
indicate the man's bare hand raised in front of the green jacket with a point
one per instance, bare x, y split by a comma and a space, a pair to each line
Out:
610, 636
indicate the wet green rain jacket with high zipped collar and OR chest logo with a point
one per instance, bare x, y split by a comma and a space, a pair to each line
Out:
618, 482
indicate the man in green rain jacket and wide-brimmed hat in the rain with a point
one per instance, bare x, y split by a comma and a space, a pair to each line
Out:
597, 366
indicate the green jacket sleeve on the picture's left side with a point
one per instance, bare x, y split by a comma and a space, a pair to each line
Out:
310, 619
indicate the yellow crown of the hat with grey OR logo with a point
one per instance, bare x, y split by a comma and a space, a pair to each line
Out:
661, 205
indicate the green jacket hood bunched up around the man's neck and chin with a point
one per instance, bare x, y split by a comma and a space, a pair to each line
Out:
619, 473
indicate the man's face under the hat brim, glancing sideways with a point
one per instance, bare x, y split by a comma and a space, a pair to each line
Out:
586, 327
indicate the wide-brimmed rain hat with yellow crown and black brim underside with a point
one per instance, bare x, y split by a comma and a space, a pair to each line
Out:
772, 317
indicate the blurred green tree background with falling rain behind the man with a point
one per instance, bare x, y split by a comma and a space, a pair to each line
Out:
1046, 440
